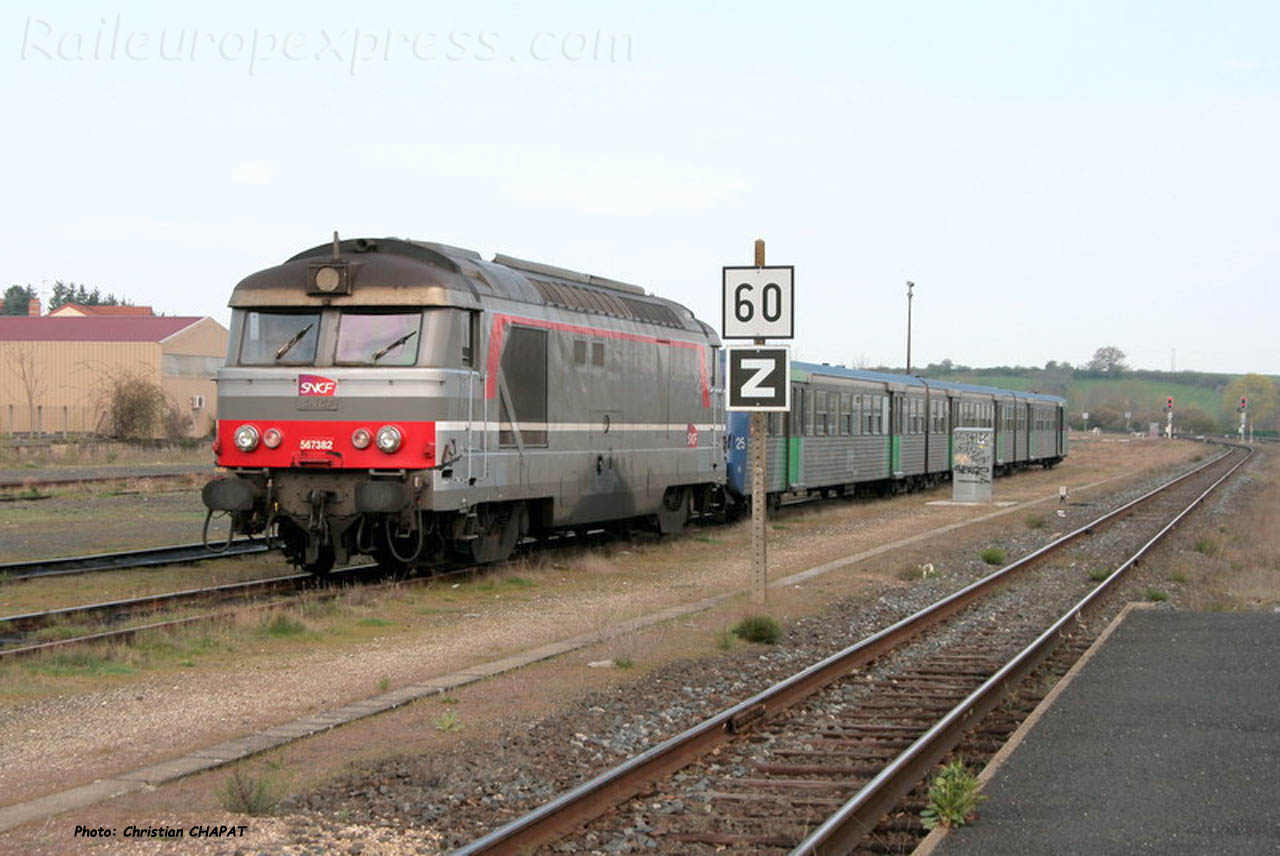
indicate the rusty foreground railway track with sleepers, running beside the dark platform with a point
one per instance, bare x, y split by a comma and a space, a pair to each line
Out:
813, 765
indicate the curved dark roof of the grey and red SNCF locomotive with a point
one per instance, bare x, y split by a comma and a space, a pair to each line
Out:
394, 272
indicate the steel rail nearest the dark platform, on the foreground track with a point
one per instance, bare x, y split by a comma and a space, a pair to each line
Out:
860, 816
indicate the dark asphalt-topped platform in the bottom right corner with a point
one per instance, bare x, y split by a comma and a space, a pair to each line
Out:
1167, 741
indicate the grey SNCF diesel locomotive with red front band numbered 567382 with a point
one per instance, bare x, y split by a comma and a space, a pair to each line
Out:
414, 402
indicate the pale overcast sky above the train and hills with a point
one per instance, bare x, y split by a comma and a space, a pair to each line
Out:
1055, 177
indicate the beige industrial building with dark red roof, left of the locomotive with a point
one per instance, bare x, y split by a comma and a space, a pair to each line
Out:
57, 372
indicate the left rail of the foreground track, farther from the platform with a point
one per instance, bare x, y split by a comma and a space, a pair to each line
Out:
611, 788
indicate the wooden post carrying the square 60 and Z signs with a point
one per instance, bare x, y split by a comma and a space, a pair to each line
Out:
758, 303
